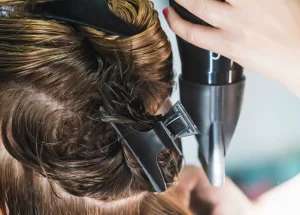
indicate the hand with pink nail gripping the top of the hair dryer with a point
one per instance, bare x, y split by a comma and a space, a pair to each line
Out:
261, 35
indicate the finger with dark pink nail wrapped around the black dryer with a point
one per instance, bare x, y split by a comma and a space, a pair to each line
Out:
202, 36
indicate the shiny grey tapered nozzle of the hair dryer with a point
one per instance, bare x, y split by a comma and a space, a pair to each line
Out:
215, 110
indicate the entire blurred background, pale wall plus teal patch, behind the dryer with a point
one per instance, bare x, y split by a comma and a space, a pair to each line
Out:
265, 150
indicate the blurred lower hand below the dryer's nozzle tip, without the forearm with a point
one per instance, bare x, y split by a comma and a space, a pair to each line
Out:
195, 191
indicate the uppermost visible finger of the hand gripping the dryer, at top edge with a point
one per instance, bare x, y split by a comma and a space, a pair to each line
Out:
211, 11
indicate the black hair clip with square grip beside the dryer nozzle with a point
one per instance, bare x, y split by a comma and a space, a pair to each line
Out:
146, 145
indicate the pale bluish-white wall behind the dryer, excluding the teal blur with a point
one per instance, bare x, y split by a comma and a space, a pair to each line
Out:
269, 125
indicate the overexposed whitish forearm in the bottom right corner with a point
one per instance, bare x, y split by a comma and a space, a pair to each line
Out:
281, 200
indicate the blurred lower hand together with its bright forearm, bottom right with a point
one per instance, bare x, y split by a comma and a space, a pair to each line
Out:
195, 191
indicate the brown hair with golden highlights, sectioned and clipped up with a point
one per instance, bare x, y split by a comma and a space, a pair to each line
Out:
63, 156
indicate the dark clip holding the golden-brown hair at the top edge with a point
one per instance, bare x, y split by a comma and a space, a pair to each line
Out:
91, 13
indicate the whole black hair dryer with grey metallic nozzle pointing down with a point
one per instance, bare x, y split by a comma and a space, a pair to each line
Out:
211, 90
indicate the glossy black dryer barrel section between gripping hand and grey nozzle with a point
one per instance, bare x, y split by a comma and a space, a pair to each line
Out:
206, 67
